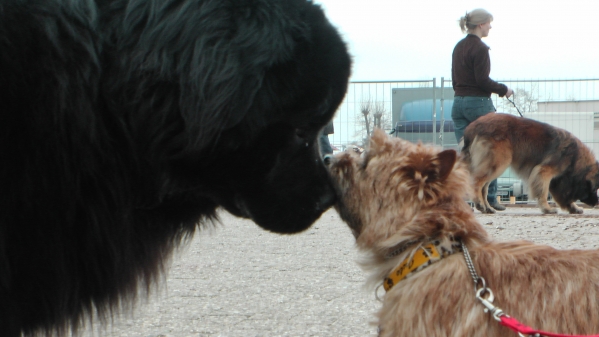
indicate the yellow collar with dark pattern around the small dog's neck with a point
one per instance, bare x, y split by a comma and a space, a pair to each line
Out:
420, 259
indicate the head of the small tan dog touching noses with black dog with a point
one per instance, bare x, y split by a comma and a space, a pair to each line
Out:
393, 179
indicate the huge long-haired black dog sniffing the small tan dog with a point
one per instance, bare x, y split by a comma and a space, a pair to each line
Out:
126, 123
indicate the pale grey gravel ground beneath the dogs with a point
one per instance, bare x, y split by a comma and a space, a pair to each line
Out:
238, 280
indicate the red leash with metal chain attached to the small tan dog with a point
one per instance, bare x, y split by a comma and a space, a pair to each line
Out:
496, 312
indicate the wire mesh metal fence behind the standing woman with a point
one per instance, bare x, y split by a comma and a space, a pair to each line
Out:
421, 110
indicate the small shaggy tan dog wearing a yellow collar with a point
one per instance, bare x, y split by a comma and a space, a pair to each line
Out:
405, 205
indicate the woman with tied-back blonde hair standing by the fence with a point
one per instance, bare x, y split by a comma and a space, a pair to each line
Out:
470, 69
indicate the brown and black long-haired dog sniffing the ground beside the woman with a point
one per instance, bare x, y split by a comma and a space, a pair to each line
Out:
549, 158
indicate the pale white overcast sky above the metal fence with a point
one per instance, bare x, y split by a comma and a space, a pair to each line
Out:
414, 39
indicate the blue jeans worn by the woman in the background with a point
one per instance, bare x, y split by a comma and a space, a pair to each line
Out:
465, 110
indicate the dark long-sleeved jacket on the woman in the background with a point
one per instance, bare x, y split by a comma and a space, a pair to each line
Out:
470, 69
